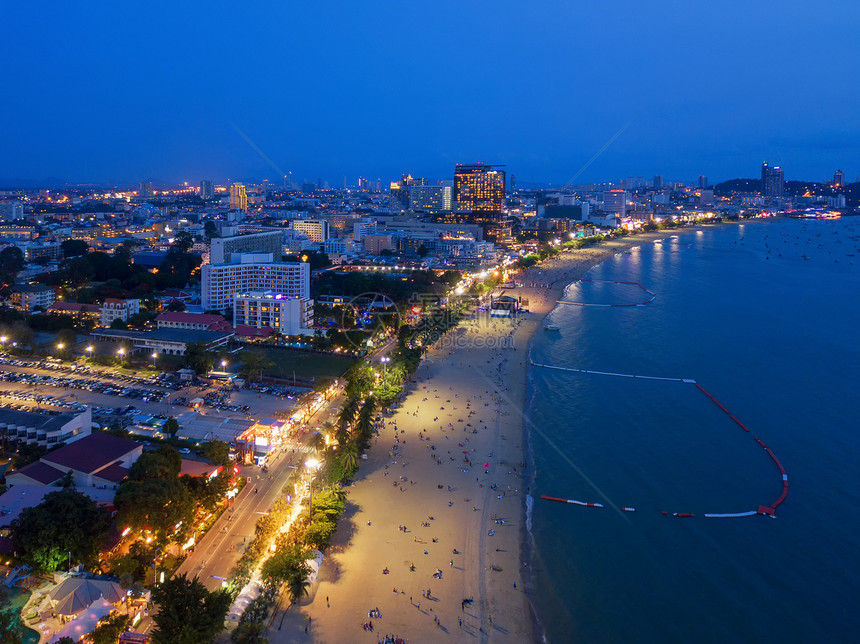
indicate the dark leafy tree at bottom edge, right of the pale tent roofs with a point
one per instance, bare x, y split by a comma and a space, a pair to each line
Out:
187, 612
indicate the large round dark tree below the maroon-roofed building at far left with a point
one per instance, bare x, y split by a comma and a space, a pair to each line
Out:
64, 522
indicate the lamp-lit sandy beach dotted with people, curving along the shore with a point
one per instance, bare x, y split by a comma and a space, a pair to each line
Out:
437, 512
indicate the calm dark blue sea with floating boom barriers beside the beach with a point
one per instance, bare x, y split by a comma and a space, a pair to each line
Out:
765, 316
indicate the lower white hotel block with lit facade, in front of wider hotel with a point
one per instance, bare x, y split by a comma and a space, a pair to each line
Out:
286, 315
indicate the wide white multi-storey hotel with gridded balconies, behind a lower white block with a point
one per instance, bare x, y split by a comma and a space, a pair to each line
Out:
254, 272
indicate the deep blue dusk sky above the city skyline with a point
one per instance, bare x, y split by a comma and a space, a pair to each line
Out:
124, 91
